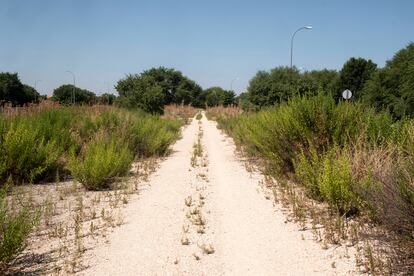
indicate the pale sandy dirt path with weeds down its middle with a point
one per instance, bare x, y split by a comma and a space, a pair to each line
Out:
203, 214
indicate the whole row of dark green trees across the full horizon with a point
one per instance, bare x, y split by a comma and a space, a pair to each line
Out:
390, 87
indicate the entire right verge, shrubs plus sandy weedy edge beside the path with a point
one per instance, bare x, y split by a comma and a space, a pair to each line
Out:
343, 172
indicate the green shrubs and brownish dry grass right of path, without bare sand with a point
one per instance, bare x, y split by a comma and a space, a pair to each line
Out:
356, 160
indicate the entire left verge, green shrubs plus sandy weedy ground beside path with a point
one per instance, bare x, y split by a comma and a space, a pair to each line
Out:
65, 173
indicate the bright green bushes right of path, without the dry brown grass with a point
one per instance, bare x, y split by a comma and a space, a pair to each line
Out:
309, 138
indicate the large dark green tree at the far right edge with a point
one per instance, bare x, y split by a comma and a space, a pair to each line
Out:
393, 86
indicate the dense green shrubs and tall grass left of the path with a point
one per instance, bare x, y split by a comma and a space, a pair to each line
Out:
33, 146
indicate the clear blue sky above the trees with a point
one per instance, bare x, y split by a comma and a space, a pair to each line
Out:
210, 41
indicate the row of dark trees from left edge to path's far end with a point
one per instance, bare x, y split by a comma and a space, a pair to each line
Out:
150, 91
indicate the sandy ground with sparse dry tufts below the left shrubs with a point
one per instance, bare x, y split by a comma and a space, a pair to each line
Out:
74, 220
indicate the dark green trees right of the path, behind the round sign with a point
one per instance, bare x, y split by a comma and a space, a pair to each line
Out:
390, 87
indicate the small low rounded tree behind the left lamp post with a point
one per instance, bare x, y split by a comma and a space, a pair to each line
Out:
64, 95
